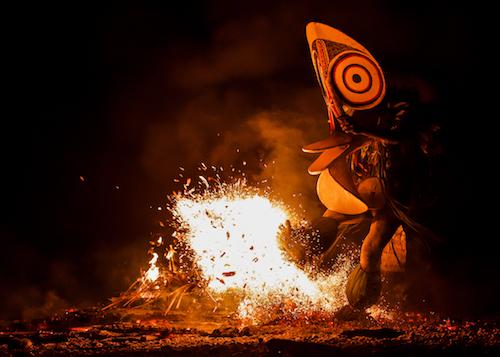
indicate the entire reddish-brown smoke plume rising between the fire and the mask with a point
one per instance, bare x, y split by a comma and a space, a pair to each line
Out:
249, 101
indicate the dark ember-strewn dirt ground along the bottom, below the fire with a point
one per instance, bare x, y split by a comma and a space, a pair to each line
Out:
347, 333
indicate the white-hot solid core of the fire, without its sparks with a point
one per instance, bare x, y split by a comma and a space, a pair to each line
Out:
235, 241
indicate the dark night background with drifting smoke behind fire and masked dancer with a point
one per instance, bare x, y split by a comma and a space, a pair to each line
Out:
105, 103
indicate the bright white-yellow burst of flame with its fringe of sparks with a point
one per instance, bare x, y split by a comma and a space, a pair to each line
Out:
233, 233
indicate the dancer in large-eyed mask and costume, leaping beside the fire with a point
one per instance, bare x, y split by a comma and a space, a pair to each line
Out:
364, 166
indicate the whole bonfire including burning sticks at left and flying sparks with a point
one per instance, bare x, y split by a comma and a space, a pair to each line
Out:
224, 252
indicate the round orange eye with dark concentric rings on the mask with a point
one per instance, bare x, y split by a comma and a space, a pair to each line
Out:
358, 80
